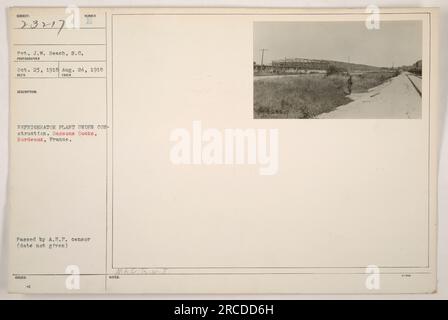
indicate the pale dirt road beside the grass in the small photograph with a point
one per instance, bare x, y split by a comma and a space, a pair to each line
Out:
397, 98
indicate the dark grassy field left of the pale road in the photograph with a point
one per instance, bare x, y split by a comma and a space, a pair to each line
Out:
308, 95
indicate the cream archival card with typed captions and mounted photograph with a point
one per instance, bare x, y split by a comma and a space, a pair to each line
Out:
150, 150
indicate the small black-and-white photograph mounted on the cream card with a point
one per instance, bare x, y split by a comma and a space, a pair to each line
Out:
337, 70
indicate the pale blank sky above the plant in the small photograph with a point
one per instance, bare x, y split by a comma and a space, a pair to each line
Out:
396, 43
